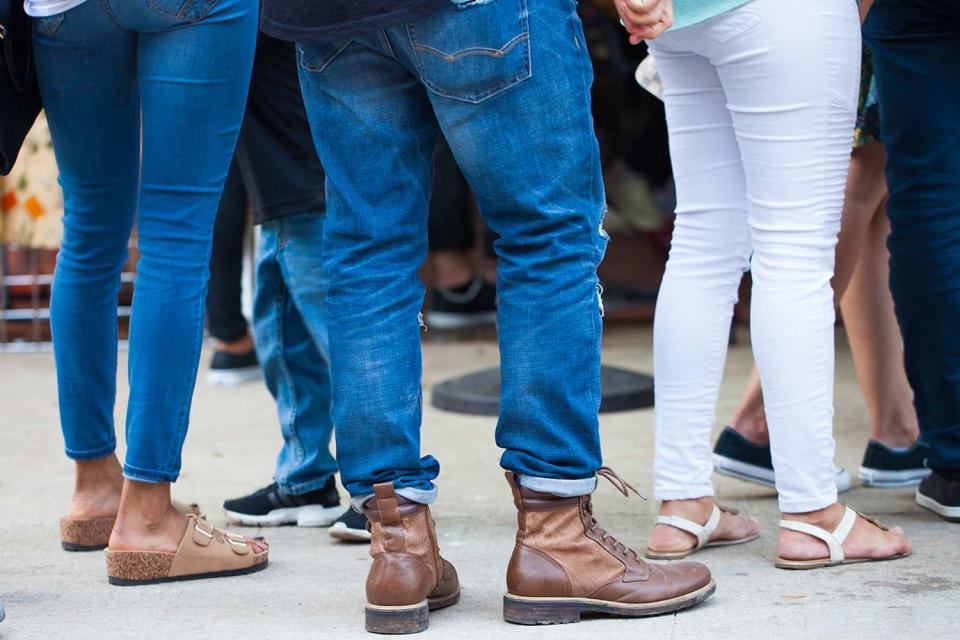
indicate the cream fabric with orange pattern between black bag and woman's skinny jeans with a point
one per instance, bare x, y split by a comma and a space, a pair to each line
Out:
31, 202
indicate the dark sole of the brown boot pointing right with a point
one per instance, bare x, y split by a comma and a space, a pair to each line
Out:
537, 611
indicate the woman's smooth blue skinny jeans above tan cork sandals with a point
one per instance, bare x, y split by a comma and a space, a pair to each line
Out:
168, 78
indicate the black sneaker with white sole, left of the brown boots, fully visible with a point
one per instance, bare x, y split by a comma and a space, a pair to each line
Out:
272, 506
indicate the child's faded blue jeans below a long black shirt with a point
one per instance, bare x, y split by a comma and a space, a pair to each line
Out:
289, 320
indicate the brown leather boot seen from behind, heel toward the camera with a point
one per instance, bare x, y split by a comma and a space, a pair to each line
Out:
408, 577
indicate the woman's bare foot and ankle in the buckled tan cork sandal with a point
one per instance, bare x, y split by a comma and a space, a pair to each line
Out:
148, 521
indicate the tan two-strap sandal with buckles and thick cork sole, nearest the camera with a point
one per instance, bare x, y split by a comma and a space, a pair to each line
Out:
205, 552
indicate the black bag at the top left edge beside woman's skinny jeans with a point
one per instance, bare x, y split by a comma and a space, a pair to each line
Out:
19, 96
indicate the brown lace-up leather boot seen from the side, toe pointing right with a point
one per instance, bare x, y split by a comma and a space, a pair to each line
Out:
564, 565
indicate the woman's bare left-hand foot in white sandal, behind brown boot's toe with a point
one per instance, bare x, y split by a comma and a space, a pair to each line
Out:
667, 538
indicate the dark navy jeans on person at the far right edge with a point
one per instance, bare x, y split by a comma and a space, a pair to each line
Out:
916, 58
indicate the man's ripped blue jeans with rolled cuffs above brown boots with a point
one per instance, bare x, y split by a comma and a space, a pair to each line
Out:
508, 84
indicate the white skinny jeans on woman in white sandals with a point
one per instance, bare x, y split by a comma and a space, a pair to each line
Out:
761, 103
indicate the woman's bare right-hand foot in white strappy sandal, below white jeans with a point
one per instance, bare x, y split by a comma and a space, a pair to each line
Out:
866, 540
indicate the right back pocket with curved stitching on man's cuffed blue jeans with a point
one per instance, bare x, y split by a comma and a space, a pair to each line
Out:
472, 51
